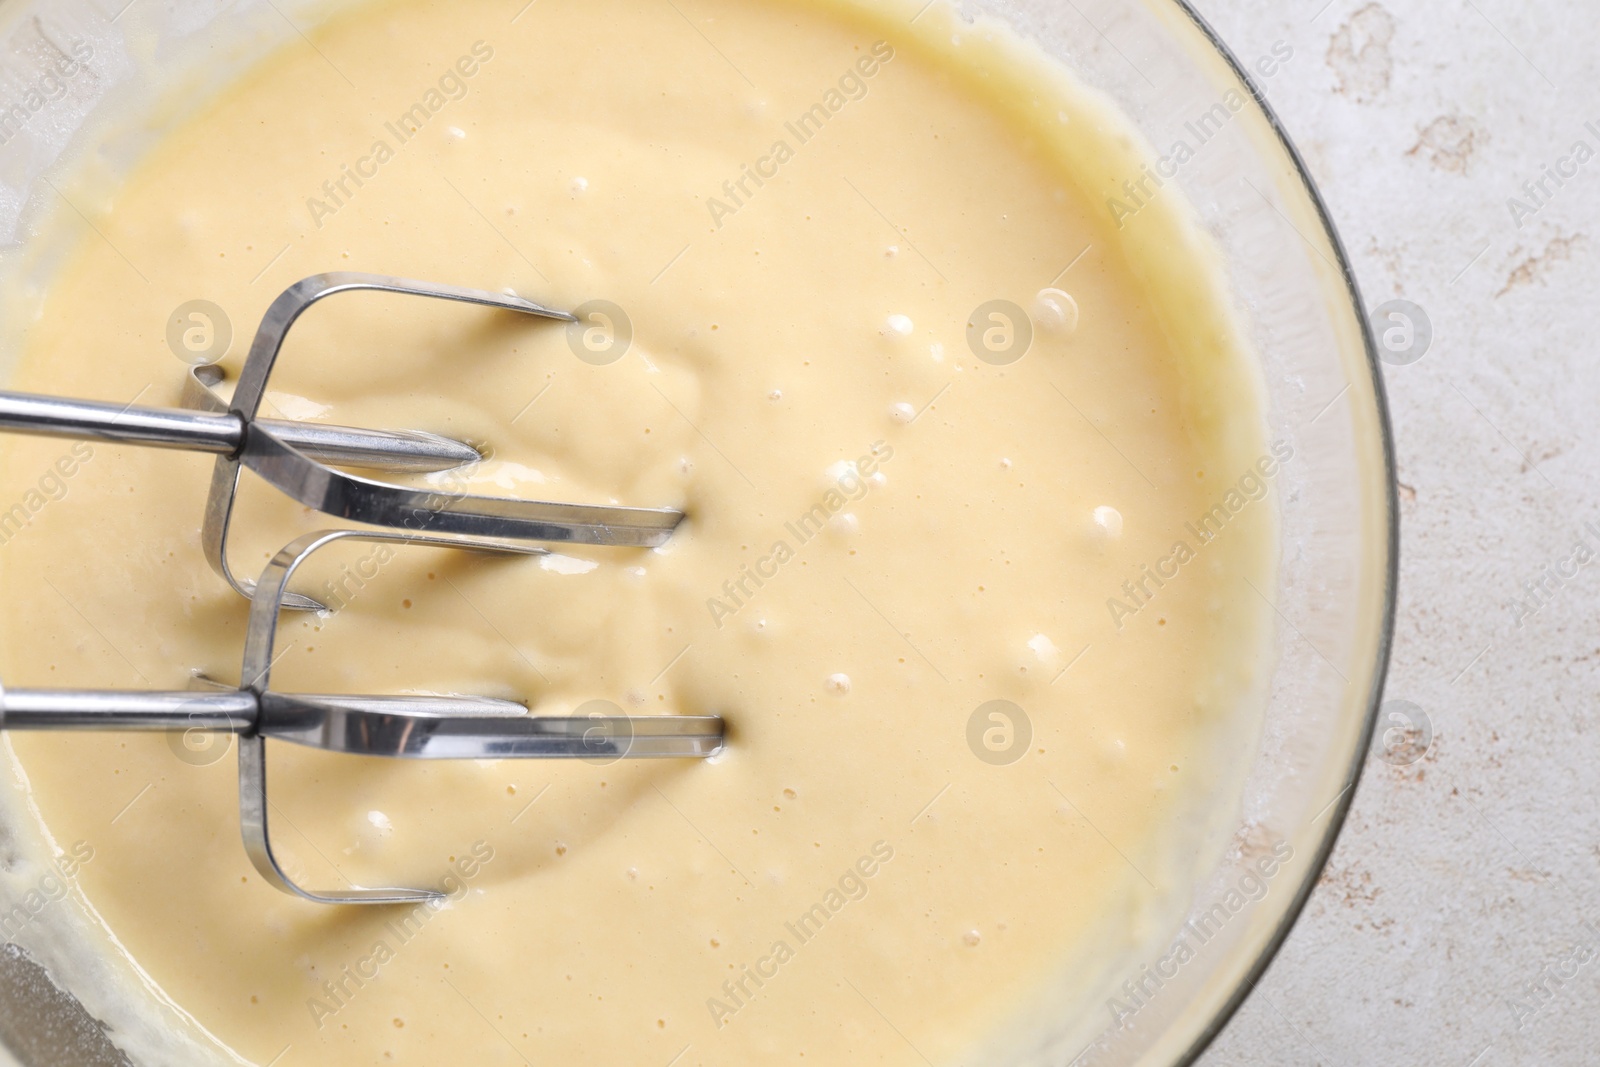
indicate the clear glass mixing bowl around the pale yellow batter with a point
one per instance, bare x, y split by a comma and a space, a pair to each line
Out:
1298, 302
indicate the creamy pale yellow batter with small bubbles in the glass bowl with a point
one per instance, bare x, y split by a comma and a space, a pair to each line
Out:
783, 330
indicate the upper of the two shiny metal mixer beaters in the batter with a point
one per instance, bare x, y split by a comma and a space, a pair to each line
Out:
295, 457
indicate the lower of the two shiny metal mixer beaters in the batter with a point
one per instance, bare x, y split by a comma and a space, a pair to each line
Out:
398, 727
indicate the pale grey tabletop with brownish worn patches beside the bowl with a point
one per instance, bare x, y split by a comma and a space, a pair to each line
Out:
1458, 922
